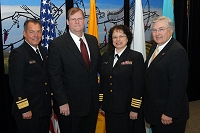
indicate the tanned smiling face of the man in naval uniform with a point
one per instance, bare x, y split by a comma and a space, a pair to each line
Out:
33, 34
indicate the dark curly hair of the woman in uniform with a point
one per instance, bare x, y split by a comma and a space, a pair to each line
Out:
126, 31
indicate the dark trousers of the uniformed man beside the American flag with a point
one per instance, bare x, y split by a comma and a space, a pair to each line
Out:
34, 125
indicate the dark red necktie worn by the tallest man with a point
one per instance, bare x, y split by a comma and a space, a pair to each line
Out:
84, 53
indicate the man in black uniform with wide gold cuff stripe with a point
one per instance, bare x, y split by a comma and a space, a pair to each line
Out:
29, 82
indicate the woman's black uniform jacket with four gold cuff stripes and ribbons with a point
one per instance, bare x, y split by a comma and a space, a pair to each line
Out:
122, 85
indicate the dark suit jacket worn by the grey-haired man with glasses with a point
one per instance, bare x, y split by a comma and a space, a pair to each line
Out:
165, 84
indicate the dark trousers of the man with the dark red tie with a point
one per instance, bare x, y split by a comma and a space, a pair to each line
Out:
76, 124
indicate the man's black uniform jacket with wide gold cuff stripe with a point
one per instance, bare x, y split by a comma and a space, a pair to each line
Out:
29, 82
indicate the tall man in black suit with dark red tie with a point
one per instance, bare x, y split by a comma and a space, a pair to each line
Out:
74, 81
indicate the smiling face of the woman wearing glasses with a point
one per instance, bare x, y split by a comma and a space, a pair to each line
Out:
119, 39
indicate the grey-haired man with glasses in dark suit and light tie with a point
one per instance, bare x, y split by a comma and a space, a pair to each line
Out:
165, 100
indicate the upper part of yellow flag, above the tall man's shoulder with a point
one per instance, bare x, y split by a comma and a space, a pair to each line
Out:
92, 26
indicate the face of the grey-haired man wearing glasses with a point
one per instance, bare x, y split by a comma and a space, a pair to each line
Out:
161, 32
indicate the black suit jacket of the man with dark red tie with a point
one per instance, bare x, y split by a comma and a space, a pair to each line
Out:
72, 82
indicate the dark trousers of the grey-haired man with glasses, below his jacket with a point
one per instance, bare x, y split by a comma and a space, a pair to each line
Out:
178, 128
